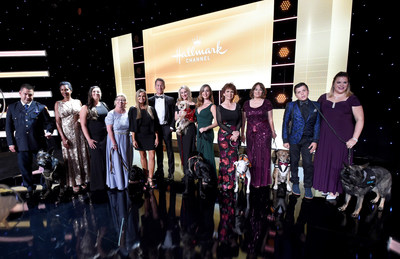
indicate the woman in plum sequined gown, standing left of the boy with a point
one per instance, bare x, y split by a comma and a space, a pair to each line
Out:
260, 129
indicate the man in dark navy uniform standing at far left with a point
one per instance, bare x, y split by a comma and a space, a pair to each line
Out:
28, 119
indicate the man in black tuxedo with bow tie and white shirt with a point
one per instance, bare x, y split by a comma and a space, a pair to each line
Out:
165, 108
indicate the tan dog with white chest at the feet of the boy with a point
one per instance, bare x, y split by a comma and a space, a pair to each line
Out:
282, 169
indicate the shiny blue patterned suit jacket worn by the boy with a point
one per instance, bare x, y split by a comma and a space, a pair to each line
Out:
310, 125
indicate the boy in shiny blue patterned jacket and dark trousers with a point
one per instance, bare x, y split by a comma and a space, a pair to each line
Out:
300, 134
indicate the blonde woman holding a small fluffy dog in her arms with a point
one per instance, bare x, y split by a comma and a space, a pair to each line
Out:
187, 140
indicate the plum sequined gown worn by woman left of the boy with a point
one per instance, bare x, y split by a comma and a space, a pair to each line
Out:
258, 139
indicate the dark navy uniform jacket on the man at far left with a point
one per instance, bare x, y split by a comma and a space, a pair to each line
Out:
28, 125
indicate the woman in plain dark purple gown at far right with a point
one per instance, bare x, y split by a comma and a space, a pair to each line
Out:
340, 107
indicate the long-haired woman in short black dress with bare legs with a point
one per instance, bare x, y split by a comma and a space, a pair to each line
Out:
144, 127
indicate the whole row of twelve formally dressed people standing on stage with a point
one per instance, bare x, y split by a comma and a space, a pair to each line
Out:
97, 142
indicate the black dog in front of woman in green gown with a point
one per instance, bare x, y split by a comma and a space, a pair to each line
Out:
198, 170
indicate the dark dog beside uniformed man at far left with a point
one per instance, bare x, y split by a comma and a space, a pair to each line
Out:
51, 171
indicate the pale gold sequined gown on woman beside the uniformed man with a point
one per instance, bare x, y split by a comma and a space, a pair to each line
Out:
76, 157
